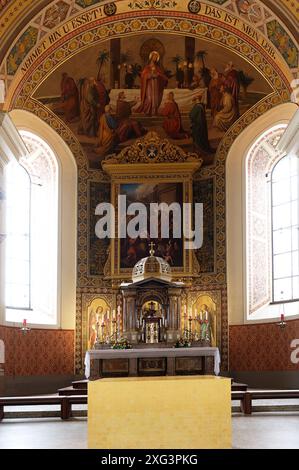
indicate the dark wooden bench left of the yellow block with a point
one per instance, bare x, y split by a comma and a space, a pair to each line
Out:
65, 403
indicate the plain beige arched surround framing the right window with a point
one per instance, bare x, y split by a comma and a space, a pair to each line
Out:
236, 219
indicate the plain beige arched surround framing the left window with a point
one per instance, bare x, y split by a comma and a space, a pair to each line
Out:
67, 213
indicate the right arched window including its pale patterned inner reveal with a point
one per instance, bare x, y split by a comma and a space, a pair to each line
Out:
272, 236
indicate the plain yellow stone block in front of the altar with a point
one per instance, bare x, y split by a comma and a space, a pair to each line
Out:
191, 412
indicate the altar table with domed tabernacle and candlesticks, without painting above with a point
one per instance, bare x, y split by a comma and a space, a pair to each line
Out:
157, 336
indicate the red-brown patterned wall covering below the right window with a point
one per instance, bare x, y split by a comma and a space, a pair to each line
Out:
263, 347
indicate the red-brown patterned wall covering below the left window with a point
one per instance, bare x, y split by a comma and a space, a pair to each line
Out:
40, 352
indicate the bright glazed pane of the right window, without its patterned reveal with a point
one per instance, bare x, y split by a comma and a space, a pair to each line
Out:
285, 229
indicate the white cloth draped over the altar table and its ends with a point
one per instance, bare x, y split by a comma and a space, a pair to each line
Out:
157, 352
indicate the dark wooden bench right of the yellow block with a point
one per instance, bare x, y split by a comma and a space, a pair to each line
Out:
246, 398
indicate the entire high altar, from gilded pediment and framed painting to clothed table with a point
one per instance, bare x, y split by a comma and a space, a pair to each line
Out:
153, 321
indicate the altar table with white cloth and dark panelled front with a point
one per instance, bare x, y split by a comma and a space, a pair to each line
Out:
151, 361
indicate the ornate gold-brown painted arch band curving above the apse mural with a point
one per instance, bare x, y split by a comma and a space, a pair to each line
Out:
68, 40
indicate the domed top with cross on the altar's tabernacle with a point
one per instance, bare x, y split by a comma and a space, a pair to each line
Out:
152, 267
